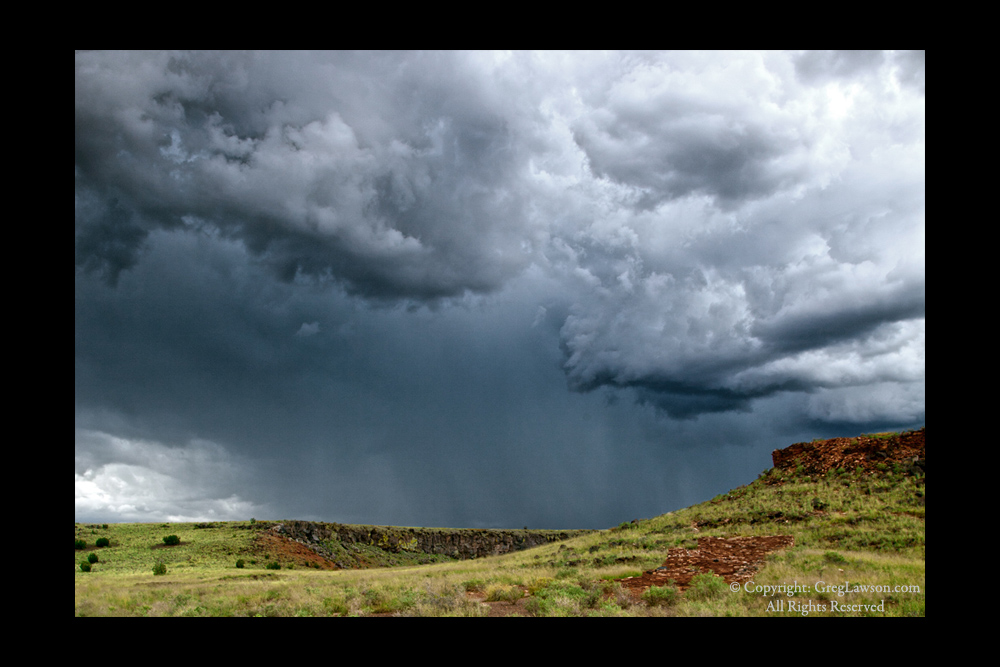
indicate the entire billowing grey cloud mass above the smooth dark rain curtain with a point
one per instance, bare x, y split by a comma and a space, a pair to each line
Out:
410, 176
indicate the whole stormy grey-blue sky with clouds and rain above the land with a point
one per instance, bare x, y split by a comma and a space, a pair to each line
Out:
554, 290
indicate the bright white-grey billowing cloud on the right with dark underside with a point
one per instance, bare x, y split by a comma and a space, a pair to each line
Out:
719, 288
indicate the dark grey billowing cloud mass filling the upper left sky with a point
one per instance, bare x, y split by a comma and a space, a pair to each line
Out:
397, 175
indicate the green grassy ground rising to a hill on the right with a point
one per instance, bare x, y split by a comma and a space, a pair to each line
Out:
857, 549
